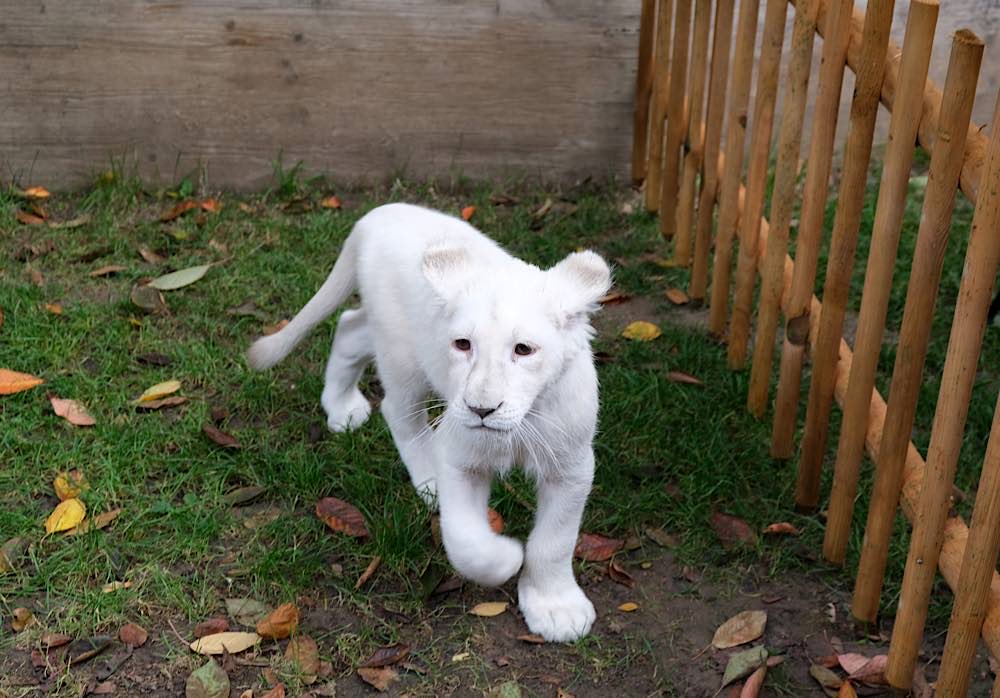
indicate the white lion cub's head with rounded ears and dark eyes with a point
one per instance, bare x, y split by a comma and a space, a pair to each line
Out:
512, 330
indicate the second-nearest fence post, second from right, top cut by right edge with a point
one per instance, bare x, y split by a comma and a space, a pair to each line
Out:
973, 302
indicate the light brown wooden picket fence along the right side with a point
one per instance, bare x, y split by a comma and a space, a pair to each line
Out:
688, 95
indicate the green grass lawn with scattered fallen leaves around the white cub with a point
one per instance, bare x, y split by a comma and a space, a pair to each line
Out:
668, 455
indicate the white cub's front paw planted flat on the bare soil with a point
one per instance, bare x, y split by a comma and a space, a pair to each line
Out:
561, 614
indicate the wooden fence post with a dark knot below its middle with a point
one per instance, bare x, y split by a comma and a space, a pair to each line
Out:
836, 32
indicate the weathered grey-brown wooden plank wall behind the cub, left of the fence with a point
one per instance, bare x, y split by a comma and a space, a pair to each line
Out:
354, 89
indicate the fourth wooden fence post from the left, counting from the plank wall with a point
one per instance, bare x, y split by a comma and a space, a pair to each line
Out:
695, 138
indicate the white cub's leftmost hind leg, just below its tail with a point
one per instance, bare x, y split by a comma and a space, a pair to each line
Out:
346, 408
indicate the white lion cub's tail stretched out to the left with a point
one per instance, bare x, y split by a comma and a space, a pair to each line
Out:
267, 351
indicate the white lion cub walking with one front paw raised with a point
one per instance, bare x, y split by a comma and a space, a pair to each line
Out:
446, 312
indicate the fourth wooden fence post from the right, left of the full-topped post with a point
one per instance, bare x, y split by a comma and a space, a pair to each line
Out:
892, 194
